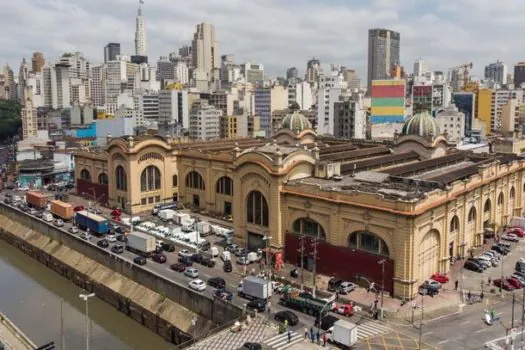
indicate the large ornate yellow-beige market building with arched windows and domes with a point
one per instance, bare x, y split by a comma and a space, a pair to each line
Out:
396, 211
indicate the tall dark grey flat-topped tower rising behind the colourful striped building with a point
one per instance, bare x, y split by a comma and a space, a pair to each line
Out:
383, 53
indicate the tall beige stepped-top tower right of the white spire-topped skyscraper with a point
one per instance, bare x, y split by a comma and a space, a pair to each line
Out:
205, 50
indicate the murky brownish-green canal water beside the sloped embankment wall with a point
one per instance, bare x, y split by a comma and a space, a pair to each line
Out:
31, 295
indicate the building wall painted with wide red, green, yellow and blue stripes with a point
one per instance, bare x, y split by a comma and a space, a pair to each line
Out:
388, 101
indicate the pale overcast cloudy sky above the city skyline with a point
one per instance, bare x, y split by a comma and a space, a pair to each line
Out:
277, 33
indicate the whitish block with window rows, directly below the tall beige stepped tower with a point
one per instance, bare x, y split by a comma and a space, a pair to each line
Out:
205, 121
